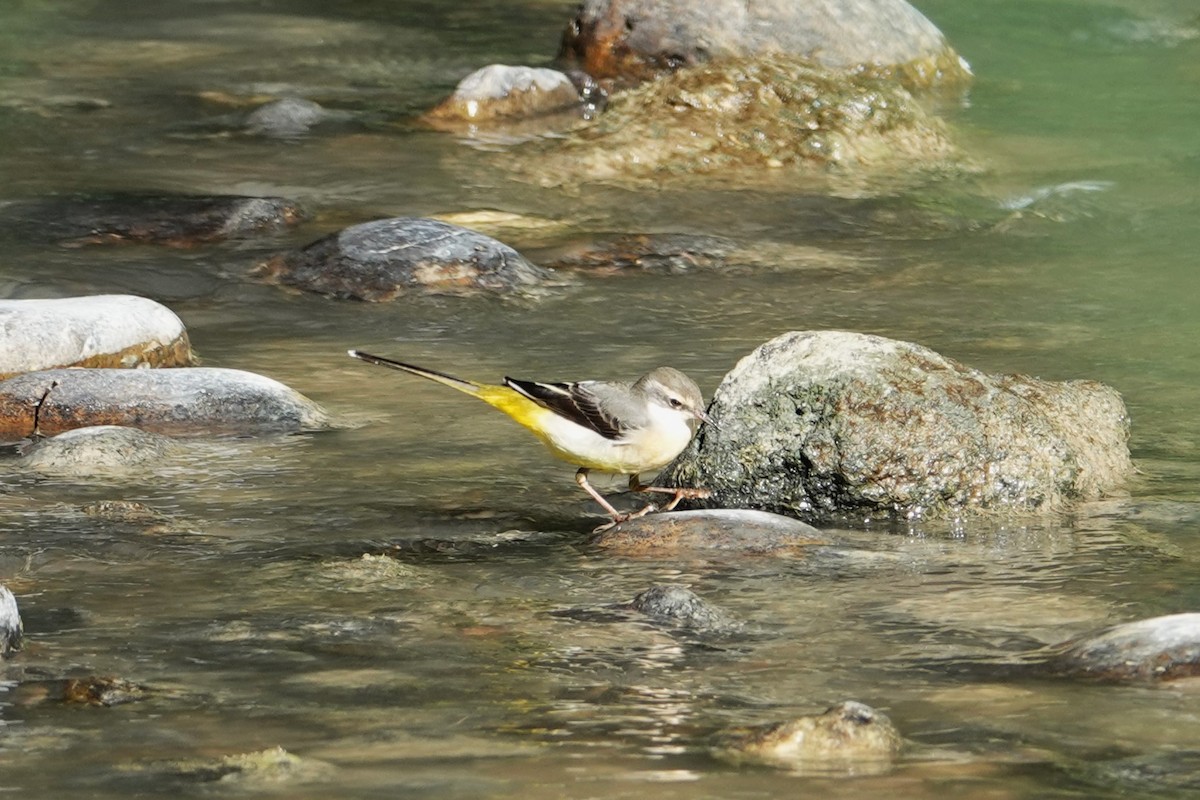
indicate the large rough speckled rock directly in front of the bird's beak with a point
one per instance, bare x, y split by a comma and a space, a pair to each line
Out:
835, 425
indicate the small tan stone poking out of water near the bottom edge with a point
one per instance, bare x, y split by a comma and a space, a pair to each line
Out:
850, 738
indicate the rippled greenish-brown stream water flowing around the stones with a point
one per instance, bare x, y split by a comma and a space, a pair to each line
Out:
386, 601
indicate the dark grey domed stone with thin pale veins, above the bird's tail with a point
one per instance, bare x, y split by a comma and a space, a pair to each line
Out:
385, 260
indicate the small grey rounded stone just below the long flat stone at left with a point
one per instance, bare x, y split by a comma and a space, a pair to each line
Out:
98, 449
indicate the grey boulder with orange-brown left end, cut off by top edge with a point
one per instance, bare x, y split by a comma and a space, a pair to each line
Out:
637, 39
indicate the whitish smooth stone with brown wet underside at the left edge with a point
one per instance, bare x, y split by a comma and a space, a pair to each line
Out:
93, 332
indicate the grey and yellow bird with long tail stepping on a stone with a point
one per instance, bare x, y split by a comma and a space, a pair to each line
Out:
597, 425
